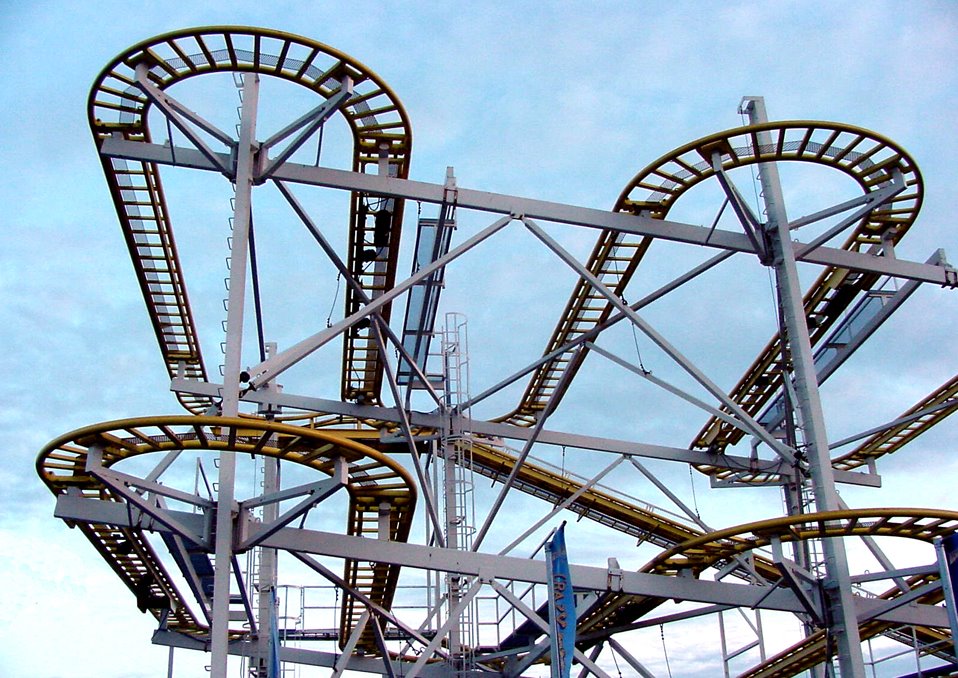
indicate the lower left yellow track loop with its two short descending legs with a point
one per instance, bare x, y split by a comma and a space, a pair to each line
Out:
373, 479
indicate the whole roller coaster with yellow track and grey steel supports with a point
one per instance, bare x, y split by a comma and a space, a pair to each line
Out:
407, 470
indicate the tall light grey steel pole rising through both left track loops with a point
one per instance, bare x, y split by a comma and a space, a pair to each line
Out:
231, 374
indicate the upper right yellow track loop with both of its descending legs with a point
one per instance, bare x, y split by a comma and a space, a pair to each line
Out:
866, 157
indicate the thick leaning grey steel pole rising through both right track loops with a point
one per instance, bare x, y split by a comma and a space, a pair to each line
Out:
843, 625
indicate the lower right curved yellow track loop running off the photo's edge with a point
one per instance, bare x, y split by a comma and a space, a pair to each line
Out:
717, 548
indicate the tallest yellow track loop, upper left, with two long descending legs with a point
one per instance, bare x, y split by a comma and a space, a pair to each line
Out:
382, 142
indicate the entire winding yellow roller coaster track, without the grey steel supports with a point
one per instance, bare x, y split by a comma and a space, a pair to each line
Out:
119, 107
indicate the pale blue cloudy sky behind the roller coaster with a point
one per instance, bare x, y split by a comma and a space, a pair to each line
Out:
563, 101
